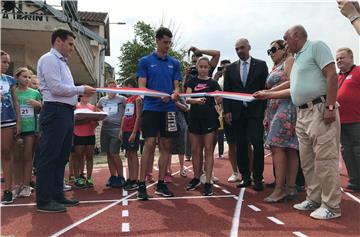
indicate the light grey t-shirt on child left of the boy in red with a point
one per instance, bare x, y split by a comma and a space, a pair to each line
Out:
115, 108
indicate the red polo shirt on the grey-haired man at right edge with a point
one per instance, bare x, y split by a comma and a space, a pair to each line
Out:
349, 96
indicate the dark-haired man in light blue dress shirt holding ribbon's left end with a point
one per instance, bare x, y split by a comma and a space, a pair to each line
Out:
57, 122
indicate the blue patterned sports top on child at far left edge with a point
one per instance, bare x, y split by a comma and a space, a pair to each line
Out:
7, 106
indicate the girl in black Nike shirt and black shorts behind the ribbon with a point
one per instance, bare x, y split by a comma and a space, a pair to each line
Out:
203, 124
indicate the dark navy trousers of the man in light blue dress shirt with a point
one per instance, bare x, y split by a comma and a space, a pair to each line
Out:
57, 125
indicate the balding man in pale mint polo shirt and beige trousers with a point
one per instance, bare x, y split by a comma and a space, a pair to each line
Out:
313, 89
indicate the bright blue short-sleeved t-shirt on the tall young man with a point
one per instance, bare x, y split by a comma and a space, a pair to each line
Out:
160, 75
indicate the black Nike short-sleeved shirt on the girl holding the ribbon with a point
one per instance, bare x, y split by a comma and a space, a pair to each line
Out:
206, 110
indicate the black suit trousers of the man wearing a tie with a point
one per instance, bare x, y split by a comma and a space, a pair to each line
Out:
249, 130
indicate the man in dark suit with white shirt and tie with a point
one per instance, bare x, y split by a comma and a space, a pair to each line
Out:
247, 75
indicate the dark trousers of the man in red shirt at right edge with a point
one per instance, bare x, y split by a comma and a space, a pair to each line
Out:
350, 141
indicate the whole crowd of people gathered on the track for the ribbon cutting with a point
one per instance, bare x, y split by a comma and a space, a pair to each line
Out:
304, 113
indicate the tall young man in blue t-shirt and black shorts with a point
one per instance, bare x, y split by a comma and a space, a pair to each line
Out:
158, 71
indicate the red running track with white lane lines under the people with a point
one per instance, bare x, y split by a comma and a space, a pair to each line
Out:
110, 212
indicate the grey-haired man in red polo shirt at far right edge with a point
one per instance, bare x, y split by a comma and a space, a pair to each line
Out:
349, 99
